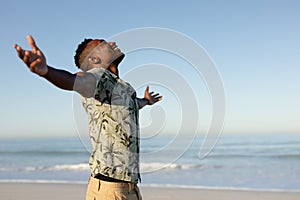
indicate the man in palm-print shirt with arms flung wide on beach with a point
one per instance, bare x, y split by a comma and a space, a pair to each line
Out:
112, 108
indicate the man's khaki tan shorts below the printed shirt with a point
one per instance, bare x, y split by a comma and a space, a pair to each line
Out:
103, 190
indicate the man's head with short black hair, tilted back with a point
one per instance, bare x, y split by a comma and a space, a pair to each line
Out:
92, 53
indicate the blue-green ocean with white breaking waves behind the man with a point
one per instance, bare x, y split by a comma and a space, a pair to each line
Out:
239, 161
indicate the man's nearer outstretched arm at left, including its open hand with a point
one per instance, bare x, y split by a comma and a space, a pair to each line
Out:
83, 83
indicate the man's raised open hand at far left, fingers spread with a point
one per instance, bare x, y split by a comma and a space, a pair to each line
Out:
34, 59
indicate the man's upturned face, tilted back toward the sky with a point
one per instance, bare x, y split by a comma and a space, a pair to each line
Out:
105, 53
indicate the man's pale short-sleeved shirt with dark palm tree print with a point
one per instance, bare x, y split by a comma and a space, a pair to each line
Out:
113, 128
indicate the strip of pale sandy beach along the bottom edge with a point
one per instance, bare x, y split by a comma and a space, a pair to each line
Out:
50, 191
